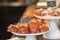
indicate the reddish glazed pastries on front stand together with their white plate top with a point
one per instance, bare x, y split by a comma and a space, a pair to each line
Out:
33, 27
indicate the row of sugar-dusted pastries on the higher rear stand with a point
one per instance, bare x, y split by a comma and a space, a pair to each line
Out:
51, 11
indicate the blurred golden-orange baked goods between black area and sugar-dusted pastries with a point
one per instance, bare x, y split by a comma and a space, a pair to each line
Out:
29, 11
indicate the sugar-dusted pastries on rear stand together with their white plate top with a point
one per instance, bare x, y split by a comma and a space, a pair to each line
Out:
49, 13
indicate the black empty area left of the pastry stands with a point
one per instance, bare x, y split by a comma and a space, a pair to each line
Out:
9, 15
